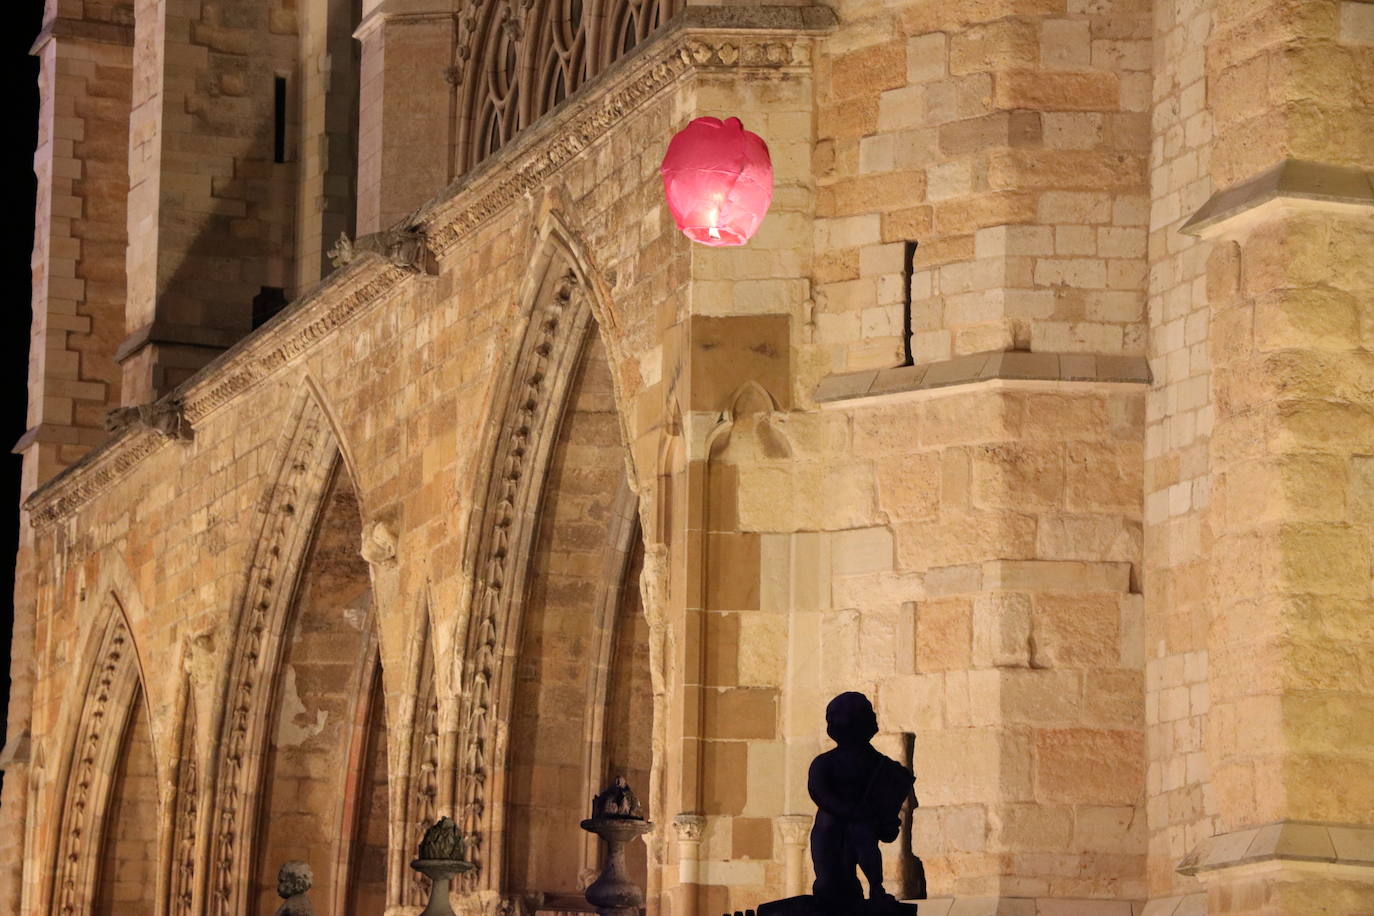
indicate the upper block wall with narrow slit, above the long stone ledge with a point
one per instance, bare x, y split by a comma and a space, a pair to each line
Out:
1009, 142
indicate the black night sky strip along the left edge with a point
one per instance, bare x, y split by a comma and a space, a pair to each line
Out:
21, 76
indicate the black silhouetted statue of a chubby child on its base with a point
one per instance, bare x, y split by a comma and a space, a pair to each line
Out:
859, 794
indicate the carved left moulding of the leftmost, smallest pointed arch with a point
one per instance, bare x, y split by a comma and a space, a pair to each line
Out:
111, 701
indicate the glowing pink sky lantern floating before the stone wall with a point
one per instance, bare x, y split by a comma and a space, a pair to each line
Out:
718, 179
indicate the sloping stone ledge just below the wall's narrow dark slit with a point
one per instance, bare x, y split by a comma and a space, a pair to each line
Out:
986, 367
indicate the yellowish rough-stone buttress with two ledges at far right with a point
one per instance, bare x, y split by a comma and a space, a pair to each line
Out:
1289, 284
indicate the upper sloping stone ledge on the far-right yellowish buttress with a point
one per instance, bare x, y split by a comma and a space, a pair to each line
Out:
1291, 183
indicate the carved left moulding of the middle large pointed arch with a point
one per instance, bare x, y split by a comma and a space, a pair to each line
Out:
288, 516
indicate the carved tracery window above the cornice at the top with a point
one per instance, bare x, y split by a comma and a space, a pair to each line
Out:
519, 60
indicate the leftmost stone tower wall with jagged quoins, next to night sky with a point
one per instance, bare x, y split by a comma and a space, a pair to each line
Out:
79, 278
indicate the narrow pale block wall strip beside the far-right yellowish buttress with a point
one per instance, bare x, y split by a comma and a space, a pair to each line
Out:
1178, 483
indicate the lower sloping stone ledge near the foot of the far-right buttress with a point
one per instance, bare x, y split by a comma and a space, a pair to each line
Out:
1284, 841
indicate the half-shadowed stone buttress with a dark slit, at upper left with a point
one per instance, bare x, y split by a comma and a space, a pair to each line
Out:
208, 197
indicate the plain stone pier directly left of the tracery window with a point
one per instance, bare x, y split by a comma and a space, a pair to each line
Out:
405, 133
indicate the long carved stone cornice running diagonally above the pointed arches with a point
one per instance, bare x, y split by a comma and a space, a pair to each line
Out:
703, 39
